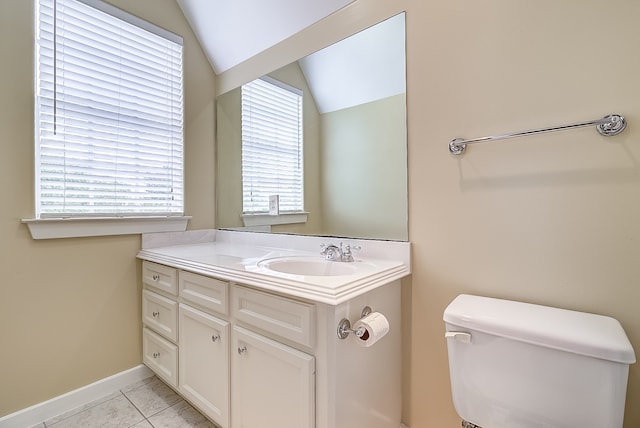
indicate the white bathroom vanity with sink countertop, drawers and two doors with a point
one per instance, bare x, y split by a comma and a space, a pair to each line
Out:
245, 327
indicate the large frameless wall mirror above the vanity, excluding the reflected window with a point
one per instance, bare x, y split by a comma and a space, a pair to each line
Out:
354, 141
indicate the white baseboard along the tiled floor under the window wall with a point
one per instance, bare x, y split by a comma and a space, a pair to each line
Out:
65, 402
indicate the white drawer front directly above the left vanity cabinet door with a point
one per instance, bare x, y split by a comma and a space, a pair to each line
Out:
209, 293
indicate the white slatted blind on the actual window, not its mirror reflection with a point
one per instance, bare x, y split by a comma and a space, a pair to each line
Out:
109, 113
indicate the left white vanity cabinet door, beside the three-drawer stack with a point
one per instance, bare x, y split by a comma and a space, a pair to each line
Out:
204, 363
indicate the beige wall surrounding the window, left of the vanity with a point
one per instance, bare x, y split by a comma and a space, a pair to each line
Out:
70, 308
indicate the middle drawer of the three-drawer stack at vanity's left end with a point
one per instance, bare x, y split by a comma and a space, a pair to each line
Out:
160, 314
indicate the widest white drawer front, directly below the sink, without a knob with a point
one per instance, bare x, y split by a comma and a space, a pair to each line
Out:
284, 317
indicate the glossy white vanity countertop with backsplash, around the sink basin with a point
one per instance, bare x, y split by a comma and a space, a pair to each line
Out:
235, 256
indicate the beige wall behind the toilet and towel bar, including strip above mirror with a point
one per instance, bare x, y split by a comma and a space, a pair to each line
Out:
550, 219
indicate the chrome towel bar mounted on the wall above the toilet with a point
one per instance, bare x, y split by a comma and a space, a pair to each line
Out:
609, 125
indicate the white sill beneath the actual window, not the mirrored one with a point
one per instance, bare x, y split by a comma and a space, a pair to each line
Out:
53, 228
